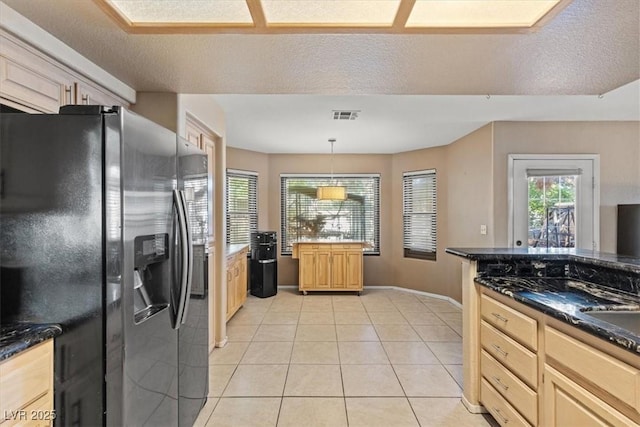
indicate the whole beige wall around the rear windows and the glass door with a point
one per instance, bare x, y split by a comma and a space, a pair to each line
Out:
472, 191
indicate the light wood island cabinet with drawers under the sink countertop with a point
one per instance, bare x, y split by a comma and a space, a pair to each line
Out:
536, 371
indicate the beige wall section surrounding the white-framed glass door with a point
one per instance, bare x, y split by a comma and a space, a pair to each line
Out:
617, 143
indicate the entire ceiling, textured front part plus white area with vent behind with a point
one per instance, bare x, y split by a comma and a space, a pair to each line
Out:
414, 91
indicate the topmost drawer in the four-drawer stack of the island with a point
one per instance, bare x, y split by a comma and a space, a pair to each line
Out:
518, 326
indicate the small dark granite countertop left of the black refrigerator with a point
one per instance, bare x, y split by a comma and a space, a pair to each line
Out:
17, 337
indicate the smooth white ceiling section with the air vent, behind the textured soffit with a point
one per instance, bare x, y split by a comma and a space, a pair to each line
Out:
391, 124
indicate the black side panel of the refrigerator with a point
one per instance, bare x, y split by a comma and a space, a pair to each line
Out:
51, 235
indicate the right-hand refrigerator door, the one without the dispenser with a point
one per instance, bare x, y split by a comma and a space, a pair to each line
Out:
193, 333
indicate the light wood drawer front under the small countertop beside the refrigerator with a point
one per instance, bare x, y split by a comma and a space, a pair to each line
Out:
26, 377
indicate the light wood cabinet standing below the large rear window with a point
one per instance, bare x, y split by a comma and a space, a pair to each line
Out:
329, 266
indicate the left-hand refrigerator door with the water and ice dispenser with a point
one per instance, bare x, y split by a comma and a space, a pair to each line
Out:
149, 284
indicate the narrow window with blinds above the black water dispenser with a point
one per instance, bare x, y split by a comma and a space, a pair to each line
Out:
242, 206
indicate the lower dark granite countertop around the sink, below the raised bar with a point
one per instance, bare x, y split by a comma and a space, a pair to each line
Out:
570, 300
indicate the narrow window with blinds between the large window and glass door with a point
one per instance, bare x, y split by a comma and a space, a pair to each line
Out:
410, 251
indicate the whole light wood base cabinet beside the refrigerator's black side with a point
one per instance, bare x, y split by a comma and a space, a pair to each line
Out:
26, 387
